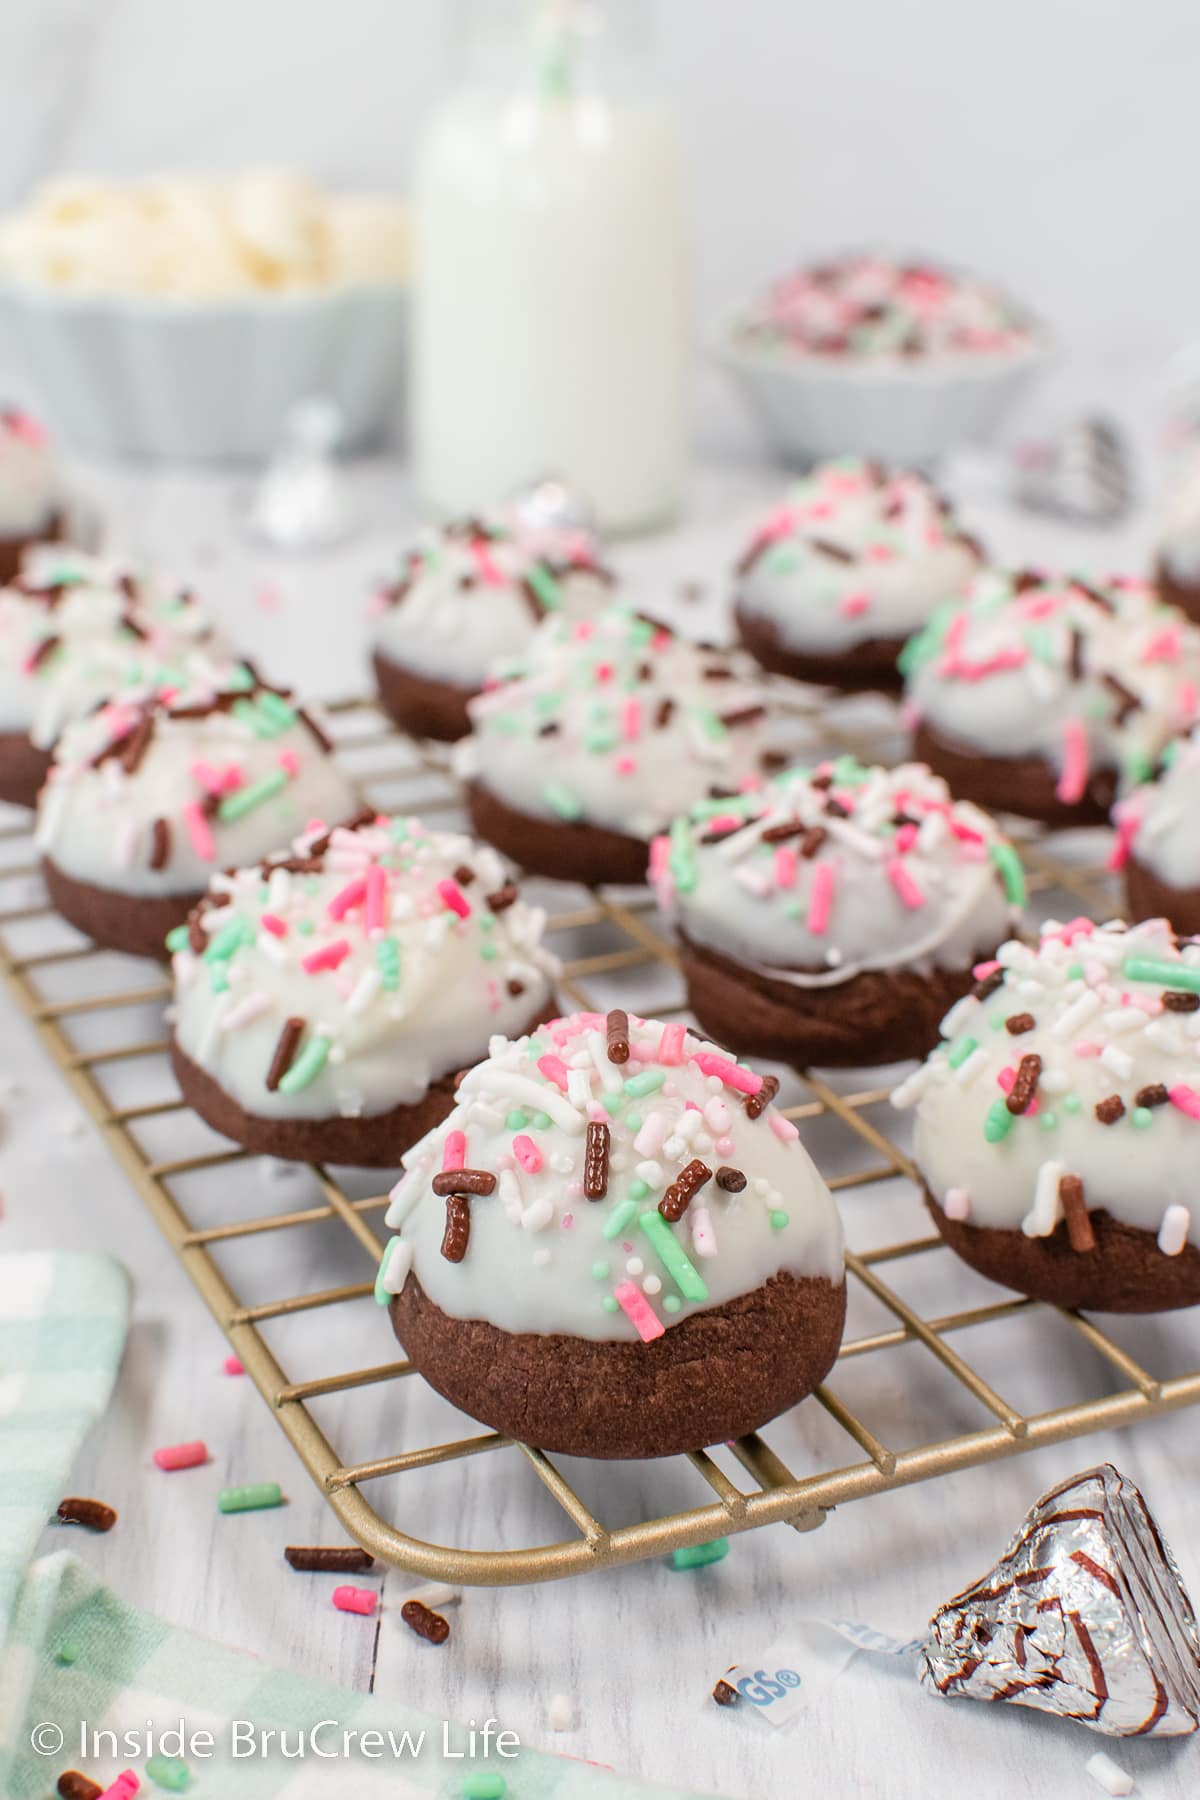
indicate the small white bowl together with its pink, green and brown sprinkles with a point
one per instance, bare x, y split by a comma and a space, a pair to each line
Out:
890, 357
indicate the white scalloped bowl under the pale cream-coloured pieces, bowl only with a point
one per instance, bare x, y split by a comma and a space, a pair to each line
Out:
206, 381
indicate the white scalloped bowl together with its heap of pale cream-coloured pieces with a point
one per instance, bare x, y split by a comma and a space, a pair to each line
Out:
183, 318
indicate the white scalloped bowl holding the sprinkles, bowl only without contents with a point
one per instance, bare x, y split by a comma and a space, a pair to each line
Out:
902, 411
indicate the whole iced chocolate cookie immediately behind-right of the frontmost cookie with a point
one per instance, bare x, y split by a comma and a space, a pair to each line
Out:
837, 913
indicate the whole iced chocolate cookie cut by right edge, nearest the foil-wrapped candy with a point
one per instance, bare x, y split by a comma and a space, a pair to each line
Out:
1059, 1124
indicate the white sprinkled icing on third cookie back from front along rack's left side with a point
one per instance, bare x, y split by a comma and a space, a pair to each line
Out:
152, 795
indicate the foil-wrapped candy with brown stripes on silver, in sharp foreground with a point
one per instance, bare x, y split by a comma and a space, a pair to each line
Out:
1084, 1615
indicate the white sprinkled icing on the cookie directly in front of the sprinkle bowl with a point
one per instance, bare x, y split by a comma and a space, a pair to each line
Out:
854, 555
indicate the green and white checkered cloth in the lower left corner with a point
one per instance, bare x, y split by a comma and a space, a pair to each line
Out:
62, 1331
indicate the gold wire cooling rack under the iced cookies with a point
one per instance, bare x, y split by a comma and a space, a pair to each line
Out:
629, 957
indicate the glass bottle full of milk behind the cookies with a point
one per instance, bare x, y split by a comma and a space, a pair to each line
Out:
551, 321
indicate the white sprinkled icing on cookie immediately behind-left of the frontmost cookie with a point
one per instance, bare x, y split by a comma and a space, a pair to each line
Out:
402, 951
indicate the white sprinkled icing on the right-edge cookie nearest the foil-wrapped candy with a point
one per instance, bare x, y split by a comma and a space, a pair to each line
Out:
1089, 1003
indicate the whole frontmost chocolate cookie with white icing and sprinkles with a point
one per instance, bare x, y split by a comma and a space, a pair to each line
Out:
616, 1246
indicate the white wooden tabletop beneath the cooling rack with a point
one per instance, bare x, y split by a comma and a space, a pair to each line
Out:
638, 1648
